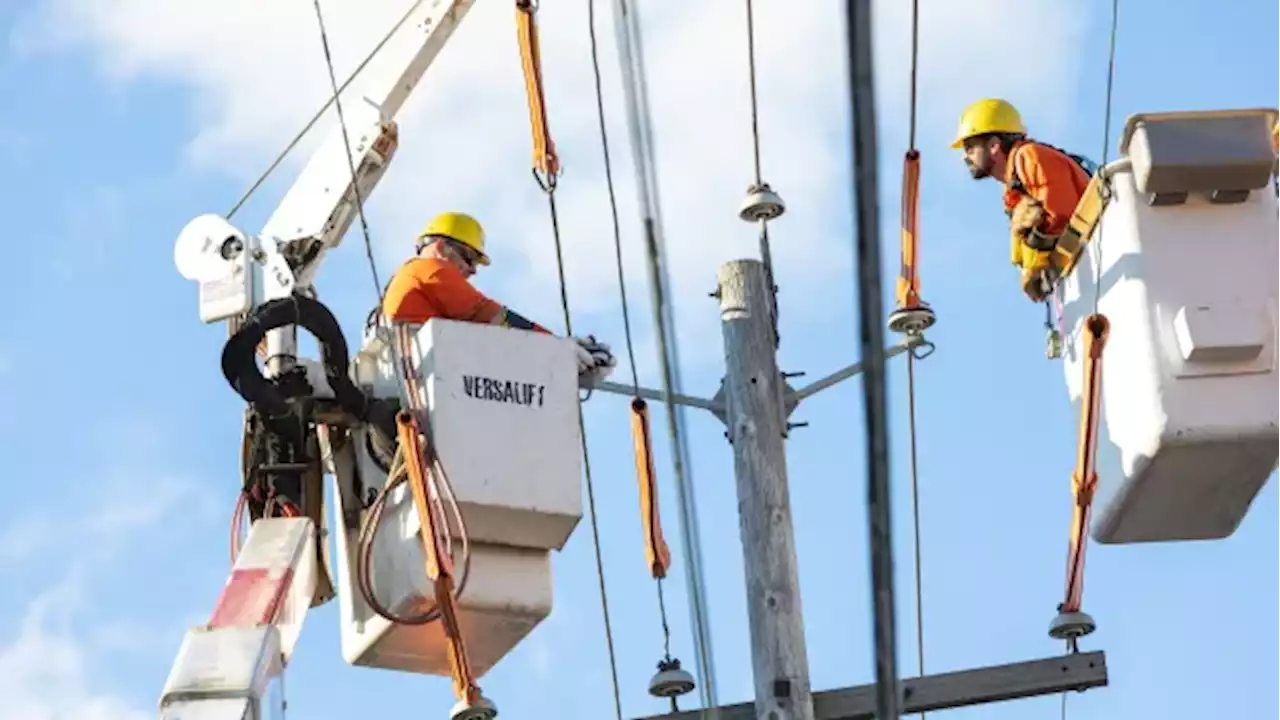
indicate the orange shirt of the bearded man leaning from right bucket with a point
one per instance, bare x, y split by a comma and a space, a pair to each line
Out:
1049, 176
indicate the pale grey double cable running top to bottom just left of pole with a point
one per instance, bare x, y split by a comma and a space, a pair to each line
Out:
636, 93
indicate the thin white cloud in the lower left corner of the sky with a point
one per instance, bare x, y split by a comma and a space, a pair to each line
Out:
54, 657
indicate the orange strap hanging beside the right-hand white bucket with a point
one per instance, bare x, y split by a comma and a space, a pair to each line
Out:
1085, 480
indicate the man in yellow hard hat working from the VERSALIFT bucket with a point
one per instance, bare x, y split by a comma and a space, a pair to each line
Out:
436, 285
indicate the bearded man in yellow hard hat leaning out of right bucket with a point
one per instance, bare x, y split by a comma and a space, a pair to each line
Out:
1043, 186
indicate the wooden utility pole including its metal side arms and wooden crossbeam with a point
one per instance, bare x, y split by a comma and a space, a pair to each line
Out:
755, 405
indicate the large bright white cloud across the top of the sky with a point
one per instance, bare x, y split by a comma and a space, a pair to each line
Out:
255, 74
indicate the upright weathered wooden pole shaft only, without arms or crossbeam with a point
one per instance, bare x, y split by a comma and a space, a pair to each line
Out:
756, 416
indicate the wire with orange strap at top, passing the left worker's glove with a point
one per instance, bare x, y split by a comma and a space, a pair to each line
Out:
547, 165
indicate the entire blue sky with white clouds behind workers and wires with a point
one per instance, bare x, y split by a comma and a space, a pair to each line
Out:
125, 122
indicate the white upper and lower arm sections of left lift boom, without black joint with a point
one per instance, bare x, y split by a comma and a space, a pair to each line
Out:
225, 668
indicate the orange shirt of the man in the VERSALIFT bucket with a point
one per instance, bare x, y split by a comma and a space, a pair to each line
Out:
429, 288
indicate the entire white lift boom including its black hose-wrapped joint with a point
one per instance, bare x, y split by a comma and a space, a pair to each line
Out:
226, 667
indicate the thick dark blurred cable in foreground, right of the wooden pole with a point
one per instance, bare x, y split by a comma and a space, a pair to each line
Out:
872, 340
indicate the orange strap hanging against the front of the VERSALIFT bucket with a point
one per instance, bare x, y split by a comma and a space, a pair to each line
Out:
440, 567
